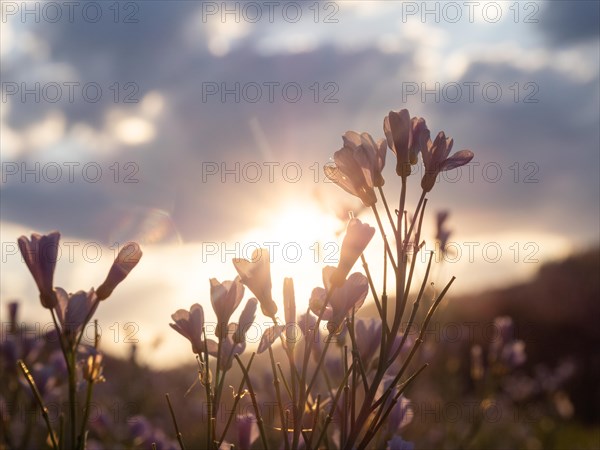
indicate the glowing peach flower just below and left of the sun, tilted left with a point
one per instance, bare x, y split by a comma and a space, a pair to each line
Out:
256, 274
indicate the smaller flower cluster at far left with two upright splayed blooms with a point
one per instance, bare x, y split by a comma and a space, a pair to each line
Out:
70, 314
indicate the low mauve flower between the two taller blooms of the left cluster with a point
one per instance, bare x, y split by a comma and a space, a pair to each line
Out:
73, 310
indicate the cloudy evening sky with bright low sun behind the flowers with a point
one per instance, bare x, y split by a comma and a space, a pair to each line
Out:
201, 129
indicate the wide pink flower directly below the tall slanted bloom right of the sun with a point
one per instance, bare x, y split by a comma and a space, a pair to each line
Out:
350, 295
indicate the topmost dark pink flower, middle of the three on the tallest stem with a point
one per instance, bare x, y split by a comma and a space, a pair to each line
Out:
405, 137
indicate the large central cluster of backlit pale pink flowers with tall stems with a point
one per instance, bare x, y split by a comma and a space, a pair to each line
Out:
373, 363
